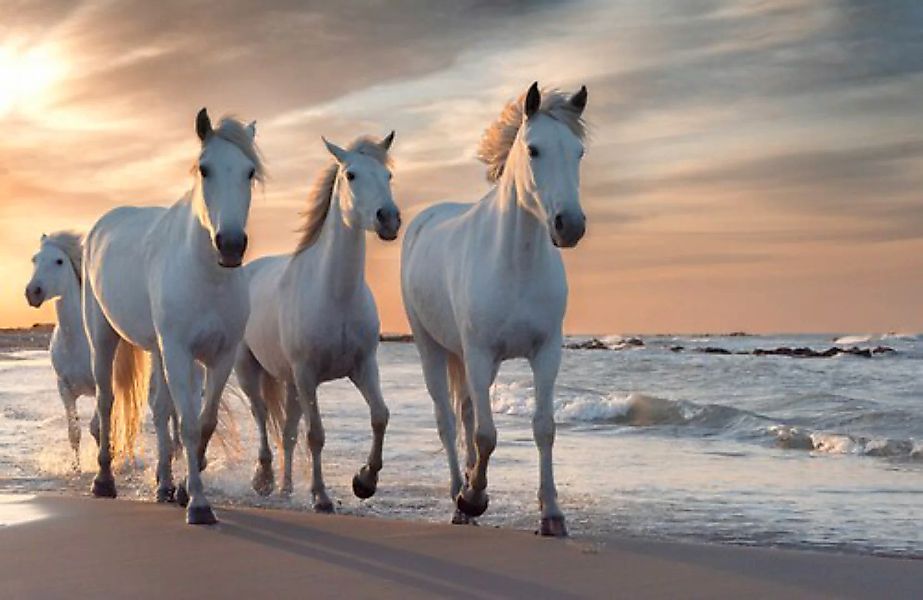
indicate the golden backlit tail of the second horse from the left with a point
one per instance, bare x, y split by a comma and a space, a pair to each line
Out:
130, 377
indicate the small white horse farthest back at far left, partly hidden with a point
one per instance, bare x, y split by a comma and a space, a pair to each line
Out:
57, 276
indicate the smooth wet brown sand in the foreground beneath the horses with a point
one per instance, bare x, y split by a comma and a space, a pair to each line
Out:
53, 546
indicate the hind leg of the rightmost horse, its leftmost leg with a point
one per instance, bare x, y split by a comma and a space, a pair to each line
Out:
433, 358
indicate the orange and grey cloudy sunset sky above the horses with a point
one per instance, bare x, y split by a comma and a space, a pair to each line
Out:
752, 165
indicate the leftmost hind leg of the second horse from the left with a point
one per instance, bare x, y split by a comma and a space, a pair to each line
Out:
103, 342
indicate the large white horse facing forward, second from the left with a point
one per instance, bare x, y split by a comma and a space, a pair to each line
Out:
166, 280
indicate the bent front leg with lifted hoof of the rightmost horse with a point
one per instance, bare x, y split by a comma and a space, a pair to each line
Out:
480, 370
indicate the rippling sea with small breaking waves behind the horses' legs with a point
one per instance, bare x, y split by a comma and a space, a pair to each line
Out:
704, 438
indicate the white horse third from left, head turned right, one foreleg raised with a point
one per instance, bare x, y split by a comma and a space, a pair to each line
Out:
313, 317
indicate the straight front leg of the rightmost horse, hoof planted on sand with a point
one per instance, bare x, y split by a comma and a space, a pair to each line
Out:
544, 371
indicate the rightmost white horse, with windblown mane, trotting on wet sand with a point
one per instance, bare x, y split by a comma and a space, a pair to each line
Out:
485, 282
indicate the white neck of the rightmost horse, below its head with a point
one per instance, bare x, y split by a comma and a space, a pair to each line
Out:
519, 239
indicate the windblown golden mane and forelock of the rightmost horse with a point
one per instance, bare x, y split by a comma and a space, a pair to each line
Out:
498, 139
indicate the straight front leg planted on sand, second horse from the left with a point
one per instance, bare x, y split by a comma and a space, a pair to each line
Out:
179, 369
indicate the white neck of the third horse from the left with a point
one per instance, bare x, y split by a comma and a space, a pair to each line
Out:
339, 255
